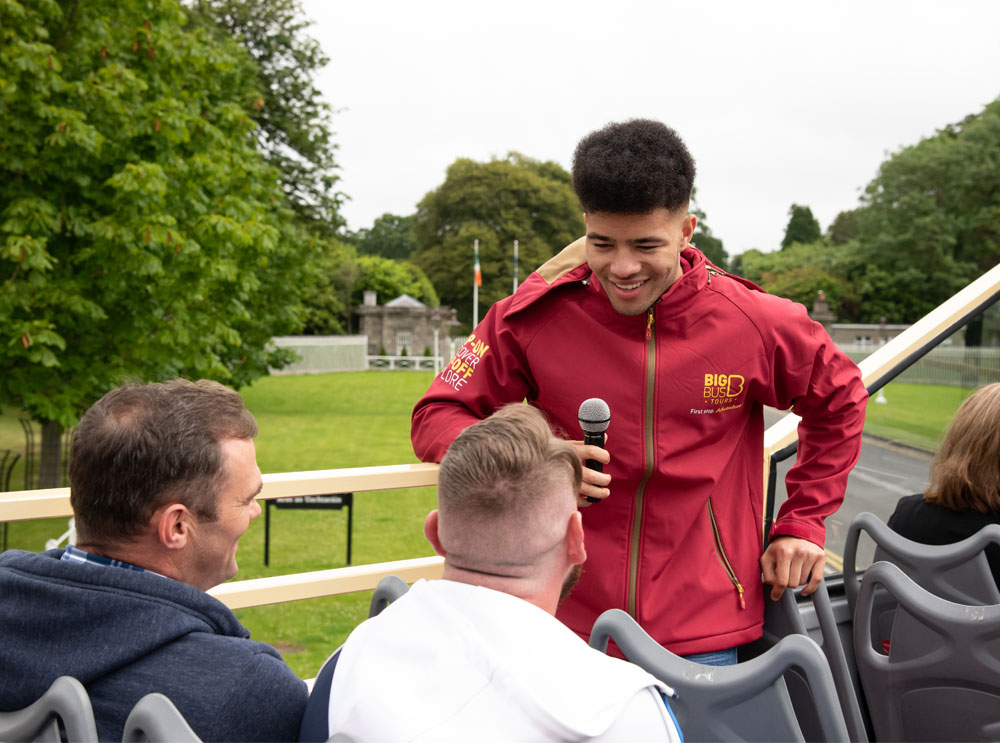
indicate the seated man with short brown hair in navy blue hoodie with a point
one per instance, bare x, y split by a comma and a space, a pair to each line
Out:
163, 481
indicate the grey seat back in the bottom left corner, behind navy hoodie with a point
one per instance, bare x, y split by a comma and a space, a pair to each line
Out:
66, 703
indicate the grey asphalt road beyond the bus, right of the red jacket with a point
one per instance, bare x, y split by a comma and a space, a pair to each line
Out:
884, 473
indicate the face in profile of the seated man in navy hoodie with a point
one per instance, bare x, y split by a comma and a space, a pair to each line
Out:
215, 542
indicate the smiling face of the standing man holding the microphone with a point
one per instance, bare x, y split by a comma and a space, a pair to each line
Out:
636, 257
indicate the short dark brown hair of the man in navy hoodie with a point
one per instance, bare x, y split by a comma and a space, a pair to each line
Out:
143, 445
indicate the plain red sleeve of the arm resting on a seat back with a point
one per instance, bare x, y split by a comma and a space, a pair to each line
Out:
823, 386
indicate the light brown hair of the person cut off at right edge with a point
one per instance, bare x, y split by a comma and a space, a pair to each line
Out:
965, 473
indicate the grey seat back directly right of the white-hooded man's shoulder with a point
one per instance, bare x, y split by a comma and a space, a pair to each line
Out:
745, 702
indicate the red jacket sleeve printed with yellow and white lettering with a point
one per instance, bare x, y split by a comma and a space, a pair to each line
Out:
486, 373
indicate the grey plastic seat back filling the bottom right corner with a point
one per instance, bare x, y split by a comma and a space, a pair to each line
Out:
941, 677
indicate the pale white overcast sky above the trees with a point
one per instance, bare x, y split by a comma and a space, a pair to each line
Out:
779, 102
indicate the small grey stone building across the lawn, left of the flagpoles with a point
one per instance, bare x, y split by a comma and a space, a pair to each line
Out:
404, 326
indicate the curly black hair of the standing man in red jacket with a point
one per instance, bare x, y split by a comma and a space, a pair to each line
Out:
633, 167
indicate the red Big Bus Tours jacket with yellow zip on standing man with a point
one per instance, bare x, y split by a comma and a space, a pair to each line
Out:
677, 544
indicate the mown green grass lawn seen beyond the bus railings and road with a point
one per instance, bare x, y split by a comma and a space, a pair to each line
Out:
358, 419
